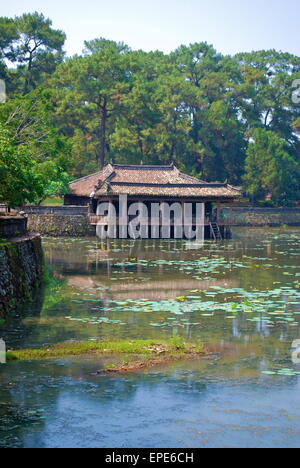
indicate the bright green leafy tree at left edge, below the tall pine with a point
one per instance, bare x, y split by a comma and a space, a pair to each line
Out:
38, 154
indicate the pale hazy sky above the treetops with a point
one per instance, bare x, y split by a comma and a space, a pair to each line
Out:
230, 25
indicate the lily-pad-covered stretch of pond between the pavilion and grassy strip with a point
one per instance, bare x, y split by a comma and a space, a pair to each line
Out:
229, 291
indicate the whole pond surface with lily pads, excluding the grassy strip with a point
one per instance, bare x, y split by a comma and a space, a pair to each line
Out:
240, 297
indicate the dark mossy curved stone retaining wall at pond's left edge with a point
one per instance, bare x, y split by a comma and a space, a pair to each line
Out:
21, 271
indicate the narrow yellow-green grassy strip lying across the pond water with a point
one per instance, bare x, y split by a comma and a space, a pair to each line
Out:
175, 347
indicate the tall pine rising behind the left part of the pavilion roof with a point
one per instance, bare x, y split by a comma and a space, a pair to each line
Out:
90, 94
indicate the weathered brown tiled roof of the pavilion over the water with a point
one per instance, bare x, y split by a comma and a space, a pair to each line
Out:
148, 181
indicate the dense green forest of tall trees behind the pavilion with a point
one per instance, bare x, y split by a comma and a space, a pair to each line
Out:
220, 118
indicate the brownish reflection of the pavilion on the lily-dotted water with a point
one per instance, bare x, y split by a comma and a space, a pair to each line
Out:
94, 270
